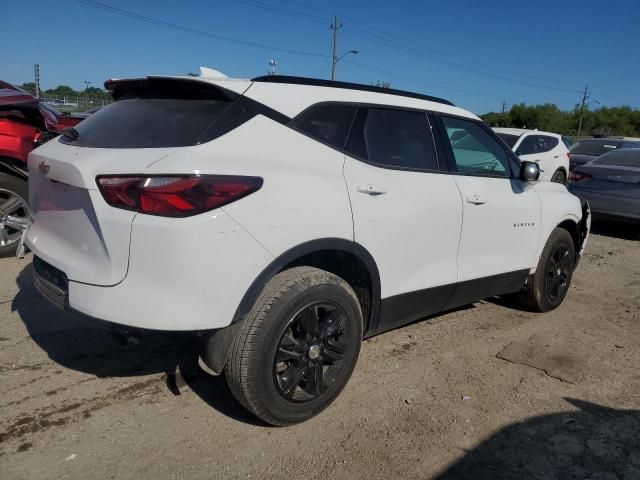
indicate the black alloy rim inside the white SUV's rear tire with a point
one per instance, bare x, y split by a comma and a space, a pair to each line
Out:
310, 354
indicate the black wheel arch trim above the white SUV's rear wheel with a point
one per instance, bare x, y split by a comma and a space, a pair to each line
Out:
299, 251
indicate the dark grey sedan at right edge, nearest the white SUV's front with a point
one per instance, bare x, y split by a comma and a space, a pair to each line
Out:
611, 185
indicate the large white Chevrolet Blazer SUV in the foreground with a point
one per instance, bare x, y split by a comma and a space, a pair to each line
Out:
285, 219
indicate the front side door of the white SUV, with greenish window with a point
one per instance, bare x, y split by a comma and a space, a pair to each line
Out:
501, 217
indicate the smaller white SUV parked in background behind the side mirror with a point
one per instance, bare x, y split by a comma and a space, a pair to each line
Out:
549, 150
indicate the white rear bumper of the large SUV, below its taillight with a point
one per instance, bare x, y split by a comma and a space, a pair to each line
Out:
179, 279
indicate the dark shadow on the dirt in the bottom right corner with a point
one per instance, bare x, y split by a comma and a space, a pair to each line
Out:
593, 442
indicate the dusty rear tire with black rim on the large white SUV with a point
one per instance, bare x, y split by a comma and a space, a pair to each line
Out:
274, 349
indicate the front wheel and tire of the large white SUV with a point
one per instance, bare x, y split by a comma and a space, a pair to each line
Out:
545, 290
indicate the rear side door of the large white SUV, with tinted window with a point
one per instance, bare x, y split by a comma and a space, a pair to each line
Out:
407, 213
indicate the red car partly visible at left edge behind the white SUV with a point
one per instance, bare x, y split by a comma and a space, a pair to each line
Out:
25, 123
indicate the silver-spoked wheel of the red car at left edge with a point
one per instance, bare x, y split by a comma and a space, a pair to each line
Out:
11, 186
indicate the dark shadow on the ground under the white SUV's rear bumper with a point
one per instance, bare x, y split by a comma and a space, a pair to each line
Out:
80, 345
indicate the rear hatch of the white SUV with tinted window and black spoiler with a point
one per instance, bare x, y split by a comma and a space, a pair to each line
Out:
74, 229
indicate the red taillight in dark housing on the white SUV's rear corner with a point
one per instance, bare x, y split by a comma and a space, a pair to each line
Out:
174, 195
